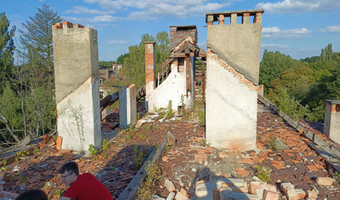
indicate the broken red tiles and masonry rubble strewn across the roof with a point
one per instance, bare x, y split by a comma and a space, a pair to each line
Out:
189, 164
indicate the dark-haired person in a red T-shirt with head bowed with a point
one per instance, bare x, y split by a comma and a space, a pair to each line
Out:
83, 186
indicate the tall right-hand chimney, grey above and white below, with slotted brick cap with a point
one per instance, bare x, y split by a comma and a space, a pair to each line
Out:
233, 58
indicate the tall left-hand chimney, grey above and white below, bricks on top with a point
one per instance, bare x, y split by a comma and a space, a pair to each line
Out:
75, 51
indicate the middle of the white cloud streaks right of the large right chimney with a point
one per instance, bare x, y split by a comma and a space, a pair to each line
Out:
275, 32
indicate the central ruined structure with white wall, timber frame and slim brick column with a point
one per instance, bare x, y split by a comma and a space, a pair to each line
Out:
175, 83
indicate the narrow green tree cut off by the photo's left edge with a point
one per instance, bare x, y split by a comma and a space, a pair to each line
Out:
6, 50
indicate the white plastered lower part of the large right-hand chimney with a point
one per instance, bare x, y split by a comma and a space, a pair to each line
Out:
231, 107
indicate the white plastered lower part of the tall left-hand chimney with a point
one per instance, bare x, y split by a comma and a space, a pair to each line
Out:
78, 115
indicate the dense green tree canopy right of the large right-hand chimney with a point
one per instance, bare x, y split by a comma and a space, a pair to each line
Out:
300, 87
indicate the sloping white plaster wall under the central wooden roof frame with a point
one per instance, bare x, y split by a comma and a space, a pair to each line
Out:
172, 88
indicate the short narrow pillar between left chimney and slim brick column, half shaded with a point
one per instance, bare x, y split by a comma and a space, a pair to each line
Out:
127, 105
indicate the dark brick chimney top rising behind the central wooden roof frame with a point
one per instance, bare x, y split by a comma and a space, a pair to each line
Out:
179, 33
